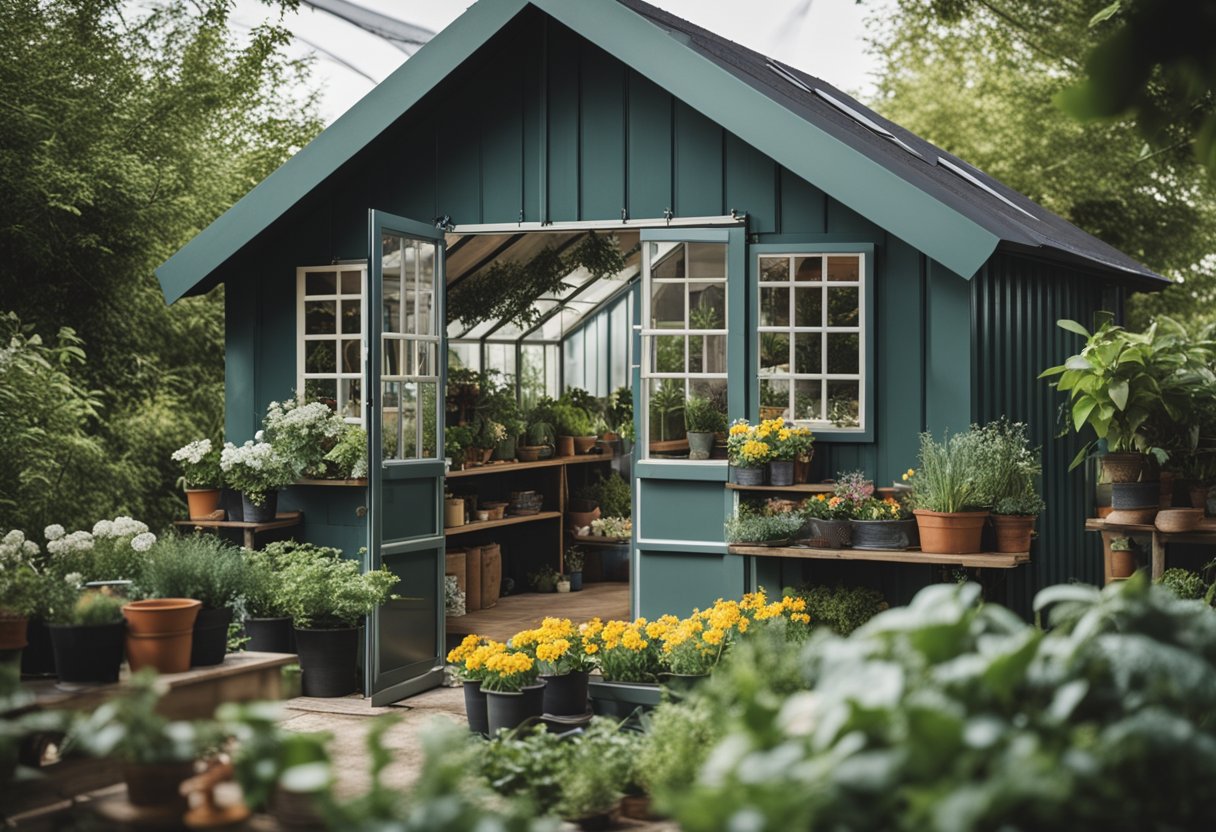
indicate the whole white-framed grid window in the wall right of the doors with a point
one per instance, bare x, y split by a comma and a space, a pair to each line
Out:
813, 339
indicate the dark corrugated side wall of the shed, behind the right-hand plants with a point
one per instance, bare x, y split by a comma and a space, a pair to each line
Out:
1016, 305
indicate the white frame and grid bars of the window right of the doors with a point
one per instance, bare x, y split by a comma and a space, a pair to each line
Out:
793, 252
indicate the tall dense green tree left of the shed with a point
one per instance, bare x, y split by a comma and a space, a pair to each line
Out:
125, 133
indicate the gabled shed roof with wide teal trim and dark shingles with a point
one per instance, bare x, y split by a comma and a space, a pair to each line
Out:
942, 206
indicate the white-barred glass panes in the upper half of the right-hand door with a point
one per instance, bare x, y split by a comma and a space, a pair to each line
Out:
684, 338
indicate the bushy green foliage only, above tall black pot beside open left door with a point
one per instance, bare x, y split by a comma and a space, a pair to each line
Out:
323, 592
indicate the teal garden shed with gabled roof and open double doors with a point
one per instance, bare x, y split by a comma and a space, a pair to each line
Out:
782, 249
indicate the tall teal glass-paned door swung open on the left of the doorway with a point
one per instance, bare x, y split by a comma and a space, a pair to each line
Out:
406, 432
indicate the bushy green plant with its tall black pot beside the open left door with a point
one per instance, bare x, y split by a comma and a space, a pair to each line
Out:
329, 599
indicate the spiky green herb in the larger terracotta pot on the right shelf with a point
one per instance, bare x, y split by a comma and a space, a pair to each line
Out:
949, 505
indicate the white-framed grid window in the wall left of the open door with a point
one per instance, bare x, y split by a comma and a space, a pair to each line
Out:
331, 308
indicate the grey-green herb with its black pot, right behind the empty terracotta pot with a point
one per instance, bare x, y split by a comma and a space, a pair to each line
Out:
206, 569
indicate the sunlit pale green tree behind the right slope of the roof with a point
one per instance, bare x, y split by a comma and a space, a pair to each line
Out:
981, 80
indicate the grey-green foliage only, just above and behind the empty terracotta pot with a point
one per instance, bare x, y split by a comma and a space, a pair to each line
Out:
198, 566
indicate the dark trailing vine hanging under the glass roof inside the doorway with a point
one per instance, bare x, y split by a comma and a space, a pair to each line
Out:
508, 290
